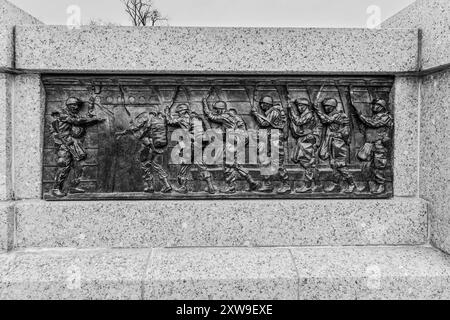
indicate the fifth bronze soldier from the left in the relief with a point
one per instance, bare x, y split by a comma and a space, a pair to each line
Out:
274, 118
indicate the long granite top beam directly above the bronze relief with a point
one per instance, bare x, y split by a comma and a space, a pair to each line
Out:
181, 49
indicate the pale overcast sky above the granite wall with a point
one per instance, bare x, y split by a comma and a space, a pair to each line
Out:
252, 13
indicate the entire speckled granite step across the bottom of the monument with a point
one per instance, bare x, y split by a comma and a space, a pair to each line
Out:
396, 272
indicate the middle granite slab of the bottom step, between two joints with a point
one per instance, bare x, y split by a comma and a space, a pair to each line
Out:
220, 274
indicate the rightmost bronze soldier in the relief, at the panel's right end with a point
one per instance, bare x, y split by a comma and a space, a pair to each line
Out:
374, 153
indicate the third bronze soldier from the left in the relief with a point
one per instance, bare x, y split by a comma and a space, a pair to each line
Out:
186, 120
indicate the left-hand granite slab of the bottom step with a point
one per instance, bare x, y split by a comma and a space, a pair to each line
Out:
75, 274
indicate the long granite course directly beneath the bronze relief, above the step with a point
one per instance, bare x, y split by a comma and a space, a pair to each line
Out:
220, 223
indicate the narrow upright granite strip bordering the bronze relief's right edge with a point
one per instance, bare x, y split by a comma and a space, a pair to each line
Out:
406, 153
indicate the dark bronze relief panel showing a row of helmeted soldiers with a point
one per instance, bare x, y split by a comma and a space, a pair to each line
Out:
117, 137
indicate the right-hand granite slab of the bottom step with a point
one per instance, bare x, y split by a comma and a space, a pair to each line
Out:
358, 273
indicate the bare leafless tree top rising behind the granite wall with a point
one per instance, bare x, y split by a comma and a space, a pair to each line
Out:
143, 12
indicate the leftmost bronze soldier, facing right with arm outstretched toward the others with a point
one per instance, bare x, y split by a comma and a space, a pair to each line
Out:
68, 131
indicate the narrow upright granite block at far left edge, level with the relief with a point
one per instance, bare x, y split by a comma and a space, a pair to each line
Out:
6, 83
